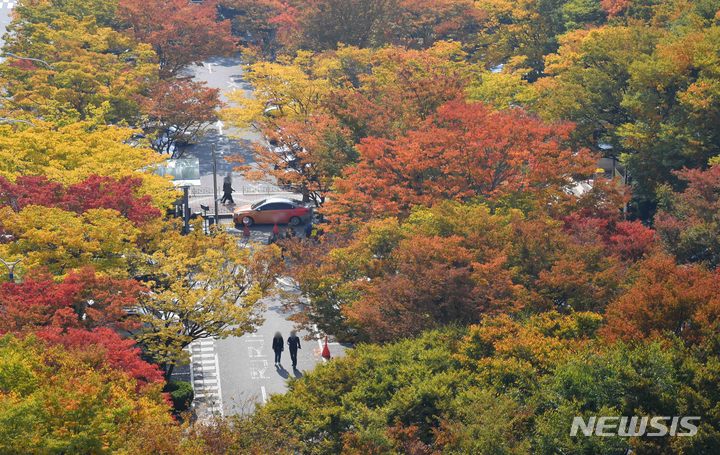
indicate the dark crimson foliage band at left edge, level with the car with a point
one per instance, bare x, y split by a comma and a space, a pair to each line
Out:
95, 192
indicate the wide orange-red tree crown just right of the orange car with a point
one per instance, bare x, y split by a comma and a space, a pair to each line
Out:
463, 151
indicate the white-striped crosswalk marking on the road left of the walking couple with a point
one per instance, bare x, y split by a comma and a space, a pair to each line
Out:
205, 377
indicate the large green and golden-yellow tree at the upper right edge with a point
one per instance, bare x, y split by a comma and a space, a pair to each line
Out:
606, 80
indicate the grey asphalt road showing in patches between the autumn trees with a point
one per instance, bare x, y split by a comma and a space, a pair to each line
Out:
232, 375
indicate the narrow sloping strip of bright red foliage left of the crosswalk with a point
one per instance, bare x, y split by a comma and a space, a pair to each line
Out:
117, 352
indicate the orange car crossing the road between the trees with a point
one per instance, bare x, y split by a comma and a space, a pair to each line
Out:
272, 211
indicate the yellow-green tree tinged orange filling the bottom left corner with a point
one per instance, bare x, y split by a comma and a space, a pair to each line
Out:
69, 400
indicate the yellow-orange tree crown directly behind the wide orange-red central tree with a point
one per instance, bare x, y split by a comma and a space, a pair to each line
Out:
386, 92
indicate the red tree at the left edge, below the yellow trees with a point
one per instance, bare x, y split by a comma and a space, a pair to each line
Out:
82, 300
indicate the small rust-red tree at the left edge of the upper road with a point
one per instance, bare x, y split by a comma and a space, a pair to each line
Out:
179, 111
